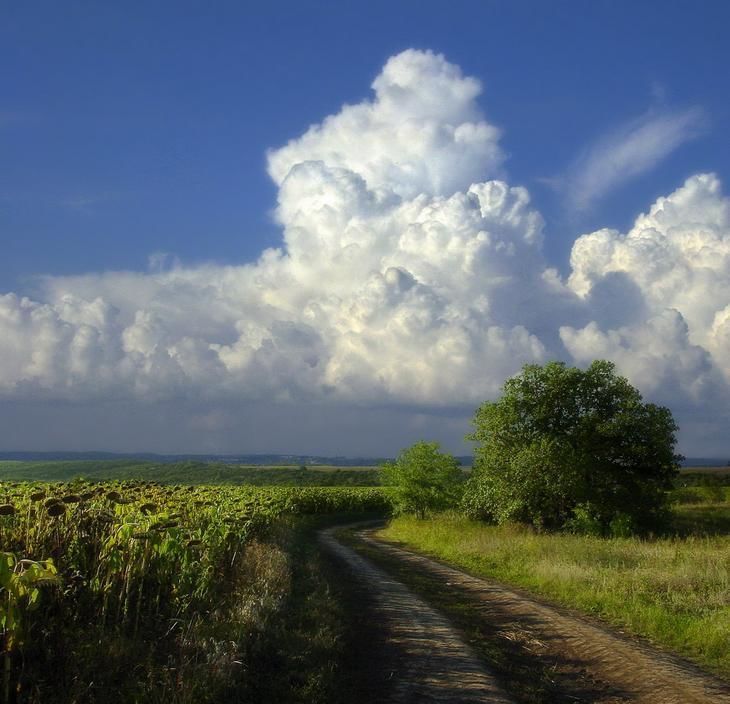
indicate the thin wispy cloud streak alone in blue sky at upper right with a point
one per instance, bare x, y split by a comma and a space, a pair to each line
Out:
627, 152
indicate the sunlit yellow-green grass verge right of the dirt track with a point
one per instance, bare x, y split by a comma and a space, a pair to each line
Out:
673, 591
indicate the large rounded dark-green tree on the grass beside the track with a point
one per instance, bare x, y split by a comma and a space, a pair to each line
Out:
564, 446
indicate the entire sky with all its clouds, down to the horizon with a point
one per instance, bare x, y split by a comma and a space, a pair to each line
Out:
337, 228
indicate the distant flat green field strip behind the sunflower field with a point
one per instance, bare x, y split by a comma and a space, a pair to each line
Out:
187, 473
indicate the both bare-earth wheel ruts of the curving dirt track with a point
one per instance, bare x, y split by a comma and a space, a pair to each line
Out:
587, 662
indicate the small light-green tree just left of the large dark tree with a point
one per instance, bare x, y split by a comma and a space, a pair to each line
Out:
423, 479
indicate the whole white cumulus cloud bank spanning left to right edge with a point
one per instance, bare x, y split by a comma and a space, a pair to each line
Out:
409, 275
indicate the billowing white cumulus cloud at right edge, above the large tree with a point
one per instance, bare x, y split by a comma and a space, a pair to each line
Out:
675, 262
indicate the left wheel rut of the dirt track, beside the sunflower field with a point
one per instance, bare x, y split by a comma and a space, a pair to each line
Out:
433, 664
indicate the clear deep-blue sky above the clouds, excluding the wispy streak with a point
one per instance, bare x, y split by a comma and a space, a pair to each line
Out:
133, 128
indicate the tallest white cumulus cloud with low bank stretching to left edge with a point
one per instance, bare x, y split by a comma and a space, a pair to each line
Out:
403, 276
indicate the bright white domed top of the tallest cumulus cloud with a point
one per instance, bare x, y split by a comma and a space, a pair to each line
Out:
422, 133
